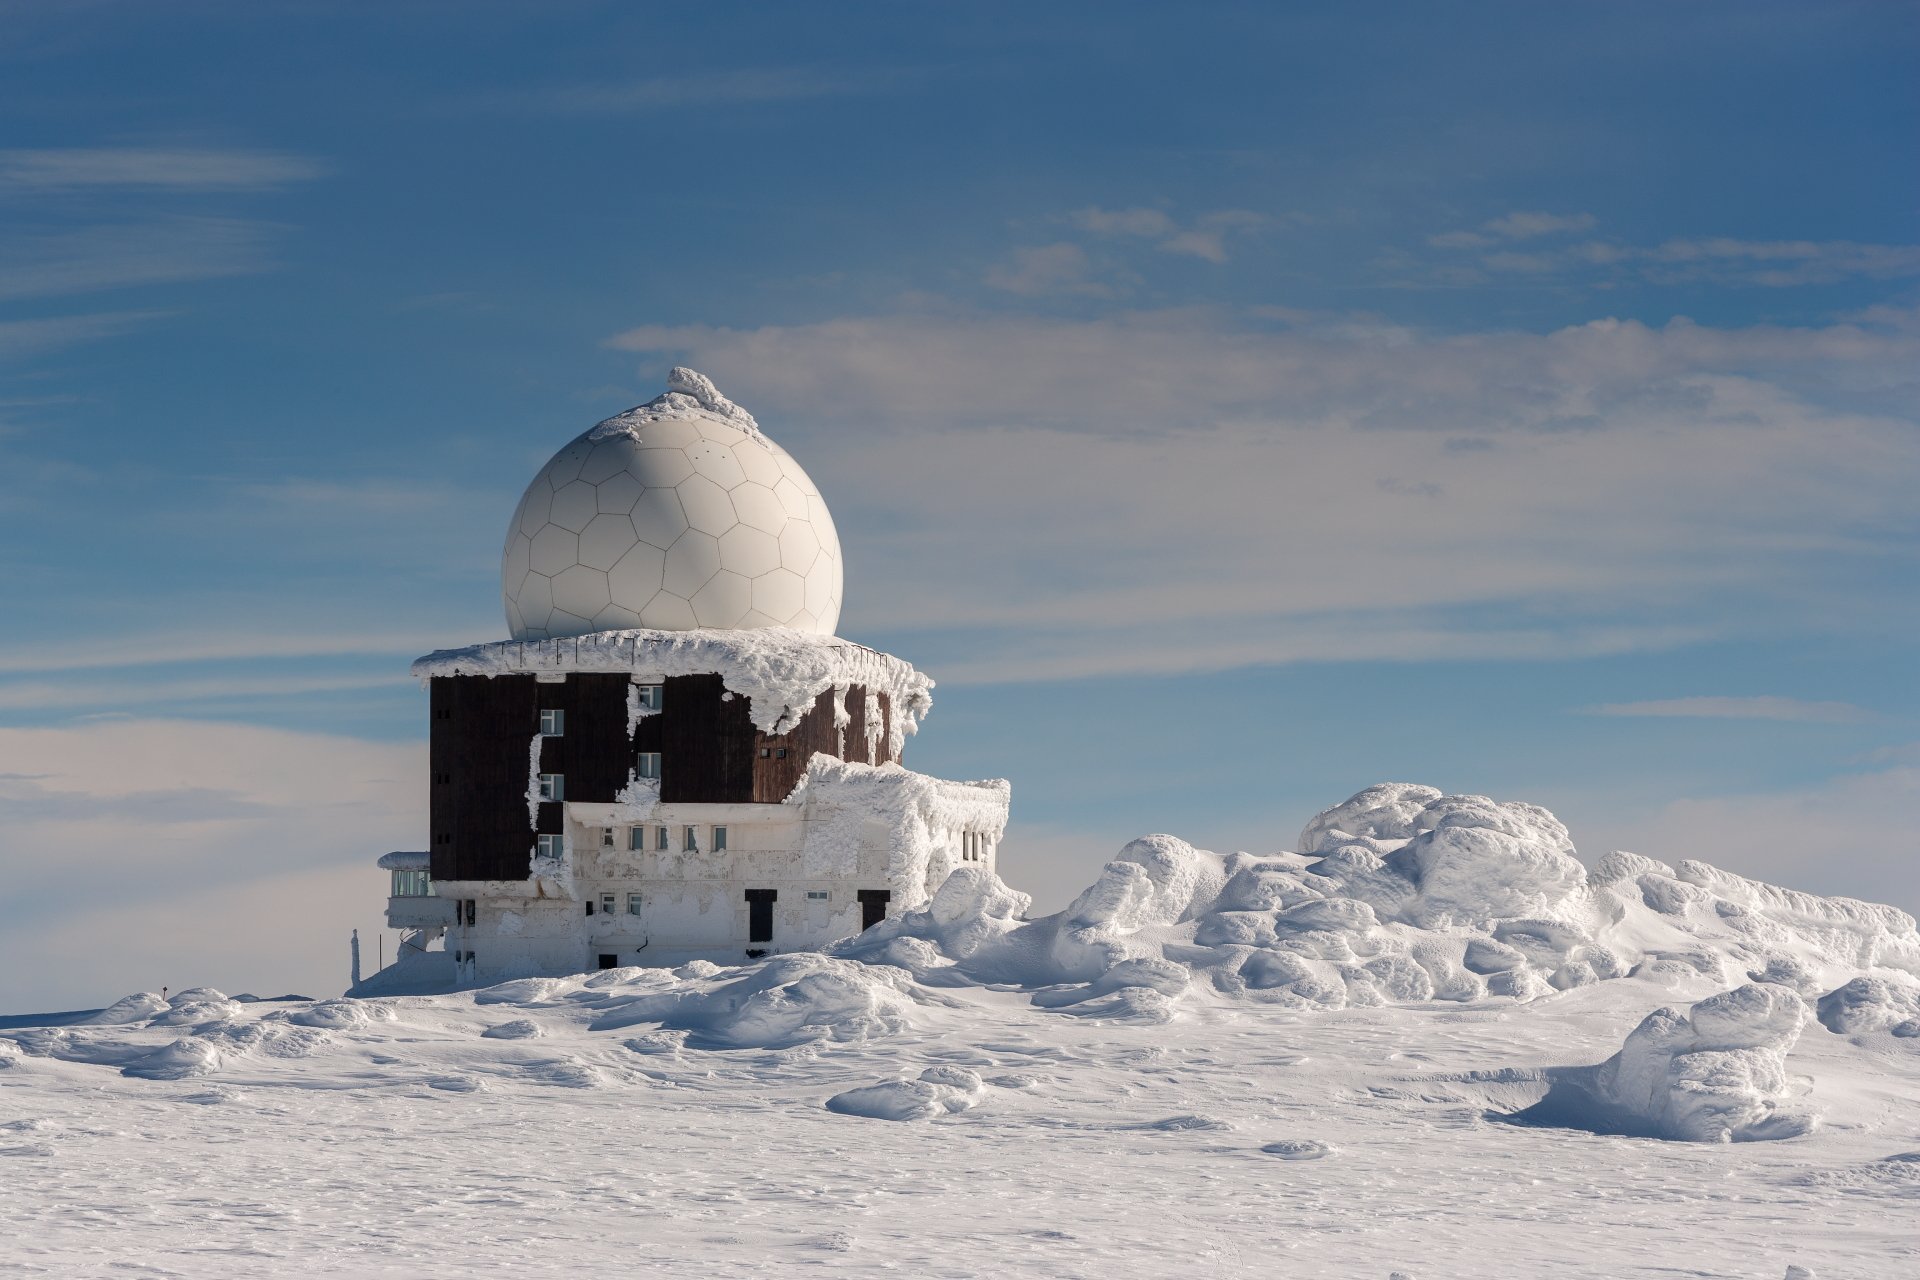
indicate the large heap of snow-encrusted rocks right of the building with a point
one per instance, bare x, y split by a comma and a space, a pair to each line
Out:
1404, 895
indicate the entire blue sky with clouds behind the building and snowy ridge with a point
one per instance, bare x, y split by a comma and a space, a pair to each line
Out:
1230, 406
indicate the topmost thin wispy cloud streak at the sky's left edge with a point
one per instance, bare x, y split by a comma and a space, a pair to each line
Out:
158, 170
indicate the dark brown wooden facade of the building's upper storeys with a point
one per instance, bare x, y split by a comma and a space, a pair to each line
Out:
485, 726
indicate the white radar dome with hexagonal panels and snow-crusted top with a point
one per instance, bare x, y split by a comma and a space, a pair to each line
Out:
675, 515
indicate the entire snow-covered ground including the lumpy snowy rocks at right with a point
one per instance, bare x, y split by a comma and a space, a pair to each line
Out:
1205, 1068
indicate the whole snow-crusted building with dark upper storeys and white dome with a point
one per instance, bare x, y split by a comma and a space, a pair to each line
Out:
673, 757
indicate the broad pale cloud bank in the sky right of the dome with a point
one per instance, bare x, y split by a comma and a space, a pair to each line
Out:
1193, 490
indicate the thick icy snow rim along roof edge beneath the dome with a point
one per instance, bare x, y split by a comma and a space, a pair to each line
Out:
779, 671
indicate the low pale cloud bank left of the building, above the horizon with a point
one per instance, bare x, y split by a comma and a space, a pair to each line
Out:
151, 853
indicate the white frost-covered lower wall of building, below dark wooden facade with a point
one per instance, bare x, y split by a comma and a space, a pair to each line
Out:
848, 828
